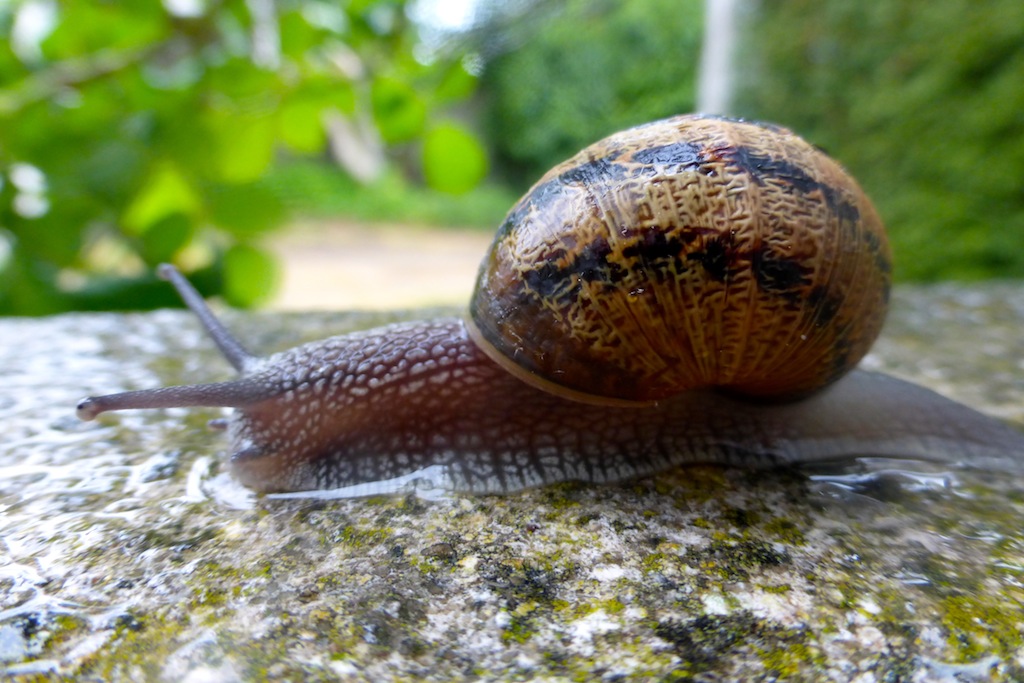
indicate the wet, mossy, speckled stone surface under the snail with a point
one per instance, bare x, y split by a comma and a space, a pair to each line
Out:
127, 554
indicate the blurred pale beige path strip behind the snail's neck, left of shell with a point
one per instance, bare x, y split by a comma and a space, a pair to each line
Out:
342, 266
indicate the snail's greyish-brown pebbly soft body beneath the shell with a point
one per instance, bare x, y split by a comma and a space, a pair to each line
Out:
378, 405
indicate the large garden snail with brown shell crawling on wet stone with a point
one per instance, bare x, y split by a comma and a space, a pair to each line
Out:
694, 290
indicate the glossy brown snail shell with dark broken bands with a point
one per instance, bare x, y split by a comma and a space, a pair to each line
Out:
687, 253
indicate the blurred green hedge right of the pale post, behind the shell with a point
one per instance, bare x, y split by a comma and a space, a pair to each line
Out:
923, 102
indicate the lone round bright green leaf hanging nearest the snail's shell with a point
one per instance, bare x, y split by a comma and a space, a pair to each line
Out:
454, 161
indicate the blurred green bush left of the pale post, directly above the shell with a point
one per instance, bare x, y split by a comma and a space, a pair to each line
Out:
588, 69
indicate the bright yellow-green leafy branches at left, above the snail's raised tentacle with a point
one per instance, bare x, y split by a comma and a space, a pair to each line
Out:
132, 135
